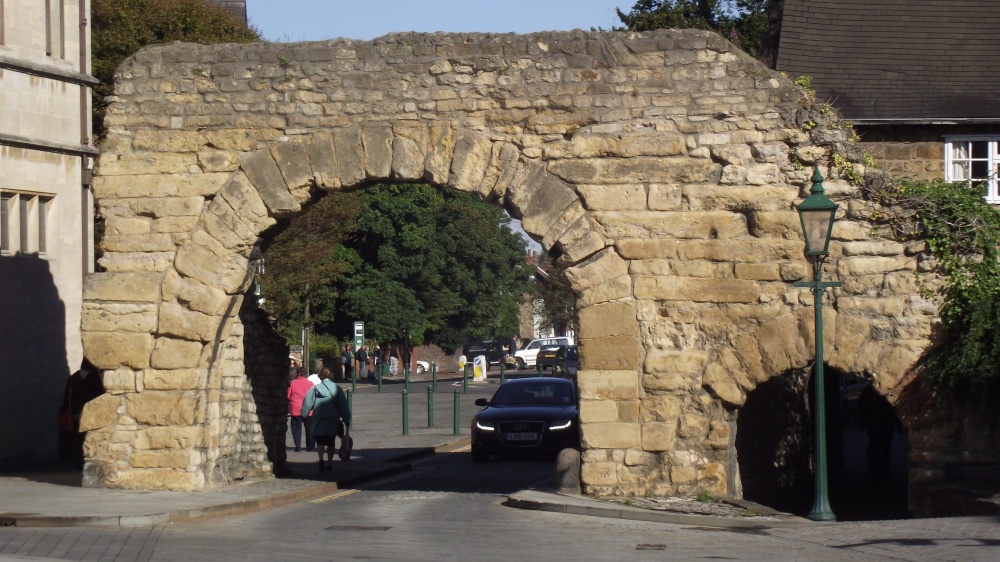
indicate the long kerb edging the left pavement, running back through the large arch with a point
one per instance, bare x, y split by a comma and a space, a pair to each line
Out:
234, 508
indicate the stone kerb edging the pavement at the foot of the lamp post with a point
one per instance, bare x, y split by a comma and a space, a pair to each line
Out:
544, 500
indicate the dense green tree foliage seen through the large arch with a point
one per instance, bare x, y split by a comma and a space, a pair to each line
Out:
416, 263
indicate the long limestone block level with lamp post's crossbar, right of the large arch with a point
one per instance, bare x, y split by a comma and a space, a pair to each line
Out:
696, 290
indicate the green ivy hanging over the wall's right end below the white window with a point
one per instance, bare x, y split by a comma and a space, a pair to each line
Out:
962, 232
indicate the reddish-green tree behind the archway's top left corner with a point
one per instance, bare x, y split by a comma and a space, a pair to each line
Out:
119, 28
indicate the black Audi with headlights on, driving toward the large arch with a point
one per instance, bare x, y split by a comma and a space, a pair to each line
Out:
537, 414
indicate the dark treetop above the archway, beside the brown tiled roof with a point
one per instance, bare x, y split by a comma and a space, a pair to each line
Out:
744, 22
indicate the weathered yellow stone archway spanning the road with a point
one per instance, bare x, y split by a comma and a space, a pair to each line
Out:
664, 166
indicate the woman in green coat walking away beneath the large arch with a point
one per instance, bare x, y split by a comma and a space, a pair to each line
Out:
330, 416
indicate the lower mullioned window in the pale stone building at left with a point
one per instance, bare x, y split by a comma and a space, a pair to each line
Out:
24, 223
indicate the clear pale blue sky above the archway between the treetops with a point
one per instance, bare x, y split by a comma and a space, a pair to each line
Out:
315, 20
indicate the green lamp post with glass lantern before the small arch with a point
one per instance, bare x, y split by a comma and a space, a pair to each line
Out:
817, 213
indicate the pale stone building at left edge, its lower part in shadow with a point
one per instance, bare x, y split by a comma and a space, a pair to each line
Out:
46, 210
